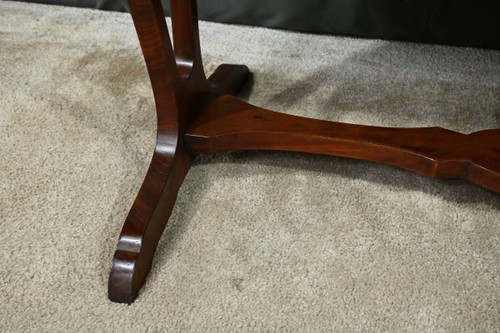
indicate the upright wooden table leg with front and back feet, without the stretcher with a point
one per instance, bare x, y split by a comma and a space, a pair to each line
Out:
179, 86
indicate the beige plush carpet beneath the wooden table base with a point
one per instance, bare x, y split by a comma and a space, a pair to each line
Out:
257, 241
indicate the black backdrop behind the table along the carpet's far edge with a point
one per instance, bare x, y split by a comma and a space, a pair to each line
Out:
465, 23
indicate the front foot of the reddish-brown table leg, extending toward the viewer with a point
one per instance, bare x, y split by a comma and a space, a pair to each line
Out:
144, 225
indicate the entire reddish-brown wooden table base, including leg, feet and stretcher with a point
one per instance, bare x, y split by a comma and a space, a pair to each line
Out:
201, 116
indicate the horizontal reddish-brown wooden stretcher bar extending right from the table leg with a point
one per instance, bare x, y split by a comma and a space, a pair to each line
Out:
226, 123
